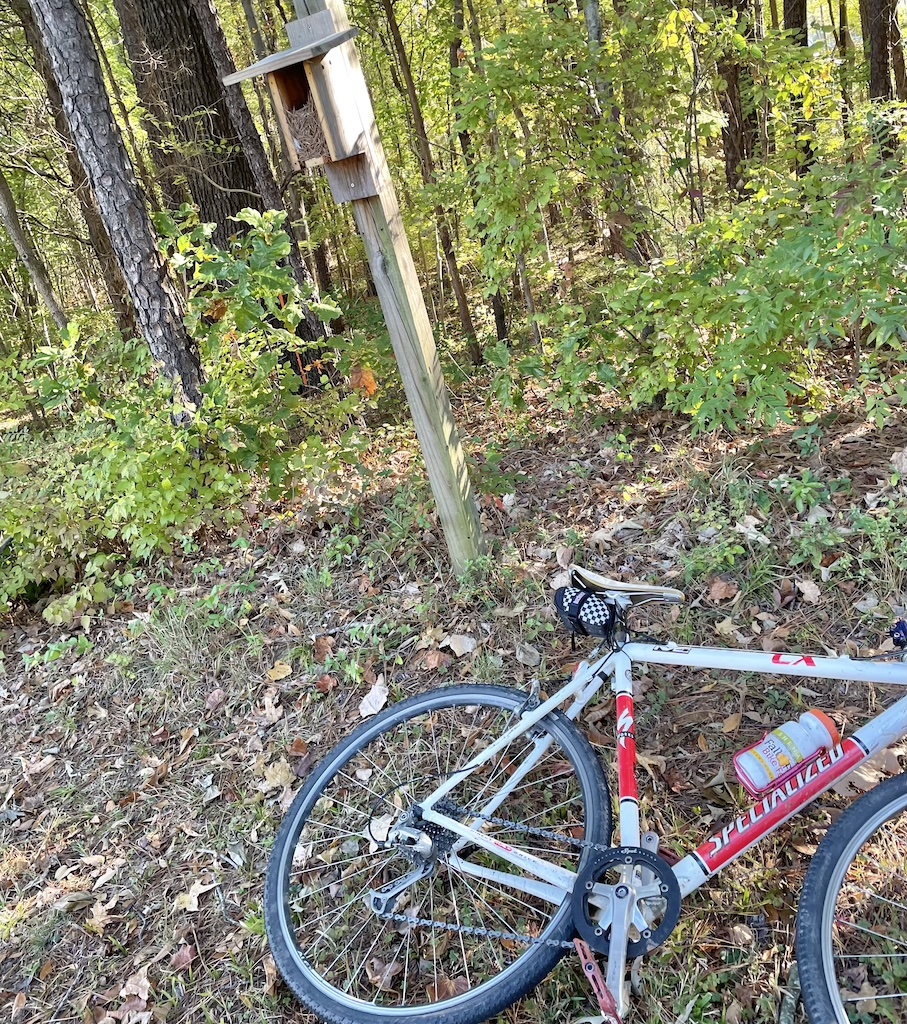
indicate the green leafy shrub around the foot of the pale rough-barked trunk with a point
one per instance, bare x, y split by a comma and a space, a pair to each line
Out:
120, 480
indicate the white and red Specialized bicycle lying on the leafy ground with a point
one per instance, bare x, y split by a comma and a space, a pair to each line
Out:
442, 860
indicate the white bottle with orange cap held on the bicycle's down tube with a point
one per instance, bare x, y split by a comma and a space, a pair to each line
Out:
781, 753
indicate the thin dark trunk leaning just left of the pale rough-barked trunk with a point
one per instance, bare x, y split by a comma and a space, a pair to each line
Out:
98, 236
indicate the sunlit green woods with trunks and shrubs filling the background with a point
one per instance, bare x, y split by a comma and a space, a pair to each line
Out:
698, 206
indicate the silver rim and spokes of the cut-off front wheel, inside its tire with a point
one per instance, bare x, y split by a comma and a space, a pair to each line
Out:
865, 924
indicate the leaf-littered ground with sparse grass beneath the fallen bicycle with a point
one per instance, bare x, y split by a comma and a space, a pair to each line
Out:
149, 753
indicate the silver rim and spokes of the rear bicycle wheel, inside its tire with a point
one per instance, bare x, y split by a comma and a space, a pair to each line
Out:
336, 860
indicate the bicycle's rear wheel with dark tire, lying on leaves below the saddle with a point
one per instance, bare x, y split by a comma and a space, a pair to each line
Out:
392, 971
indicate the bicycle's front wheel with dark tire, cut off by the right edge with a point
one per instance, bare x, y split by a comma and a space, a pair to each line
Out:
852, 925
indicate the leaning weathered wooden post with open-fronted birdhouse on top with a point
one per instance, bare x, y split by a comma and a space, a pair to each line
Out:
358, 173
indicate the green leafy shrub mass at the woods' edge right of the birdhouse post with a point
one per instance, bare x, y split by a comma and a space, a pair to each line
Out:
769, 311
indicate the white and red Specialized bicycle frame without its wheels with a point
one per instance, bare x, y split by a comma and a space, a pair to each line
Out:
553, 883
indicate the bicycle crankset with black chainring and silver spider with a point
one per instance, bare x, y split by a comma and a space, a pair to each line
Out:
627, 873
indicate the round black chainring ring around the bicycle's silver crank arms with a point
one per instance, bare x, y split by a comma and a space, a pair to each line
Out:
615, 861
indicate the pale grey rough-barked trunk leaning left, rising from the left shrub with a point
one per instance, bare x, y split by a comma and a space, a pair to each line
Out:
101, 149
